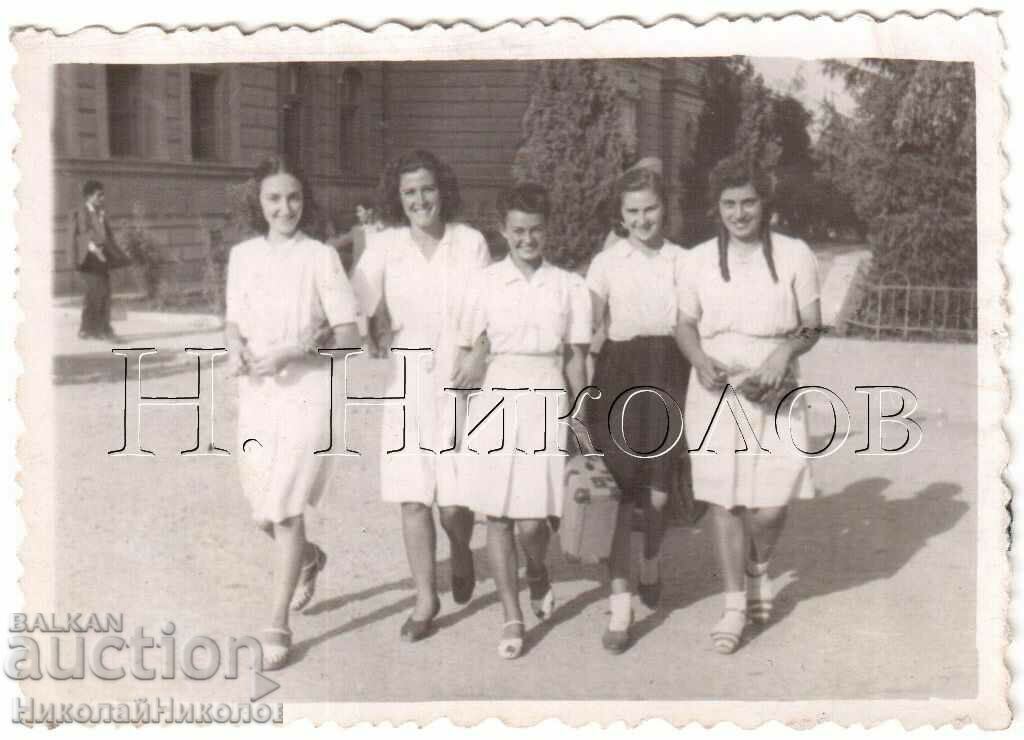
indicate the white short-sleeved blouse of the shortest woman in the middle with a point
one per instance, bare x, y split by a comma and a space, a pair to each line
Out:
527, 317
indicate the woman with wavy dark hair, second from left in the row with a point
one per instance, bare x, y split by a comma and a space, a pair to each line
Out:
412, 282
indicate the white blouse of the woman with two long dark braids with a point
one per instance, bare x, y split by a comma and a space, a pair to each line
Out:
750, 303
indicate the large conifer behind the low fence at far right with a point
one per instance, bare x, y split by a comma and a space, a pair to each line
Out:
907, 162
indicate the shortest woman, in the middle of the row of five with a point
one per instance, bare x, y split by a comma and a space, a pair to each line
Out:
532, 312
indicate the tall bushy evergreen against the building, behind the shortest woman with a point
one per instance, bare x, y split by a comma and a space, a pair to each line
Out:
574, 146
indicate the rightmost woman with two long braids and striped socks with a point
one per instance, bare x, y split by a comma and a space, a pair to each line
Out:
749, 308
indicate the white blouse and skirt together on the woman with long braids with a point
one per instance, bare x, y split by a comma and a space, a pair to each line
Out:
741, 324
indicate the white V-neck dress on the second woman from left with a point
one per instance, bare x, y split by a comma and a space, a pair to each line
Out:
425, 301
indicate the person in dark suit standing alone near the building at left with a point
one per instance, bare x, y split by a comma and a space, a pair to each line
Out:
96, 253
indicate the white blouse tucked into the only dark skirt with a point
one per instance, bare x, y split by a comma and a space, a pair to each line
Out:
639, 288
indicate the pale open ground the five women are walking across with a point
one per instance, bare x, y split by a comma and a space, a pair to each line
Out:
876, 577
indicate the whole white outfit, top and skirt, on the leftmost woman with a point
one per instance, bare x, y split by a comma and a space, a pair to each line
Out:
280, 294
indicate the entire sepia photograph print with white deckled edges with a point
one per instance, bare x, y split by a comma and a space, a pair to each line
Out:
429, 384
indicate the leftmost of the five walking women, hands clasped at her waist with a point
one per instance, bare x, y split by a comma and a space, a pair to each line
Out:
284, 414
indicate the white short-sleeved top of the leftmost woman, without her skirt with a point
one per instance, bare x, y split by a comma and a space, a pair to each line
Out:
281, 294
